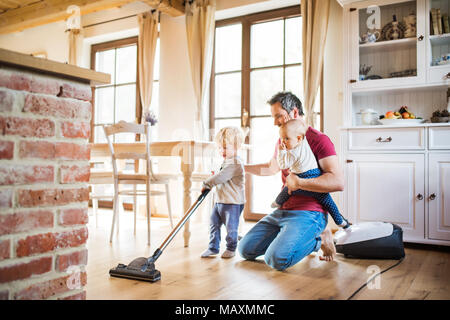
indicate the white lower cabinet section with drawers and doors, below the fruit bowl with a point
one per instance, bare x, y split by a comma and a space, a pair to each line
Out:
401, 184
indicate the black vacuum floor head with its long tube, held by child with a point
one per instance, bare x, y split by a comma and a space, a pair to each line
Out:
144, 268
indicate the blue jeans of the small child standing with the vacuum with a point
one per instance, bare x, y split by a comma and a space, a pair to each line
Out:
227, 214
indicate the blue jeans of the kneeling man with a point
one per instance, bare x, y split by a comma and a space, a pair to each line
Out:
284, 237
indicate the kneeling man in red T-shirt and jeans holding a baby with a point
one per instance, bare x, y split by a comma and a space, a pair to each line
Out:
296, 229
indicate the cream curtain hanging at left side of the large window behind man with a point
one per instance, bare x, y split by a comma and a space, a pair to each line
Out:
200, 24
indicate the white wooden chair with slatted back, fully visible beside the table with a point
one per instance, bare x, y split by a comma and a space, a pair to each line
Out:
132, 178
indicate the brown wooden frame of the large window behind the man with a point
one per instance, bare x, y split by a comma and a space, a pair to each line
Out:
247, 21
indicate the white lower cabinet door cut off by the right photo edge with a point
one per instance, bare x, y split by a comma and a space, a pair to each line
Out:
439, 196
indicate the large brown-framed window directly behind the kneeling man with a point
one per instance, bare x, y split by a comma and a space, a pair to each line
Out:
255, 57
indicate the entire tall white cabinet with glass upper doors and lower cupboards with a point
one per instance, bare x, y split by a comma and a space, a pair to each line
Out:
399, 172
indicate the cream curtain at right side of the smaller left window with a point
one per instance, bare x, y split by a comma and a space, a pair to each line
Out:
148, 35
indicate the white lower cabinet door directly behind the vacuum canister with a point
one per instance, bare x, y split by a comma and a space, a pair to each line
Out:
388, 187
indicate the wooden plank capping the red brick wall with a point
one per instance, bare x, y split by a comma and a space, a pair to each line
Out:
52, 67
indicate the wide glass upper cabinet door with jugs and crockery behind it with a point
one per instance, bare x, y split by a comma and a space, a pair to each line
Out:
387, 50
